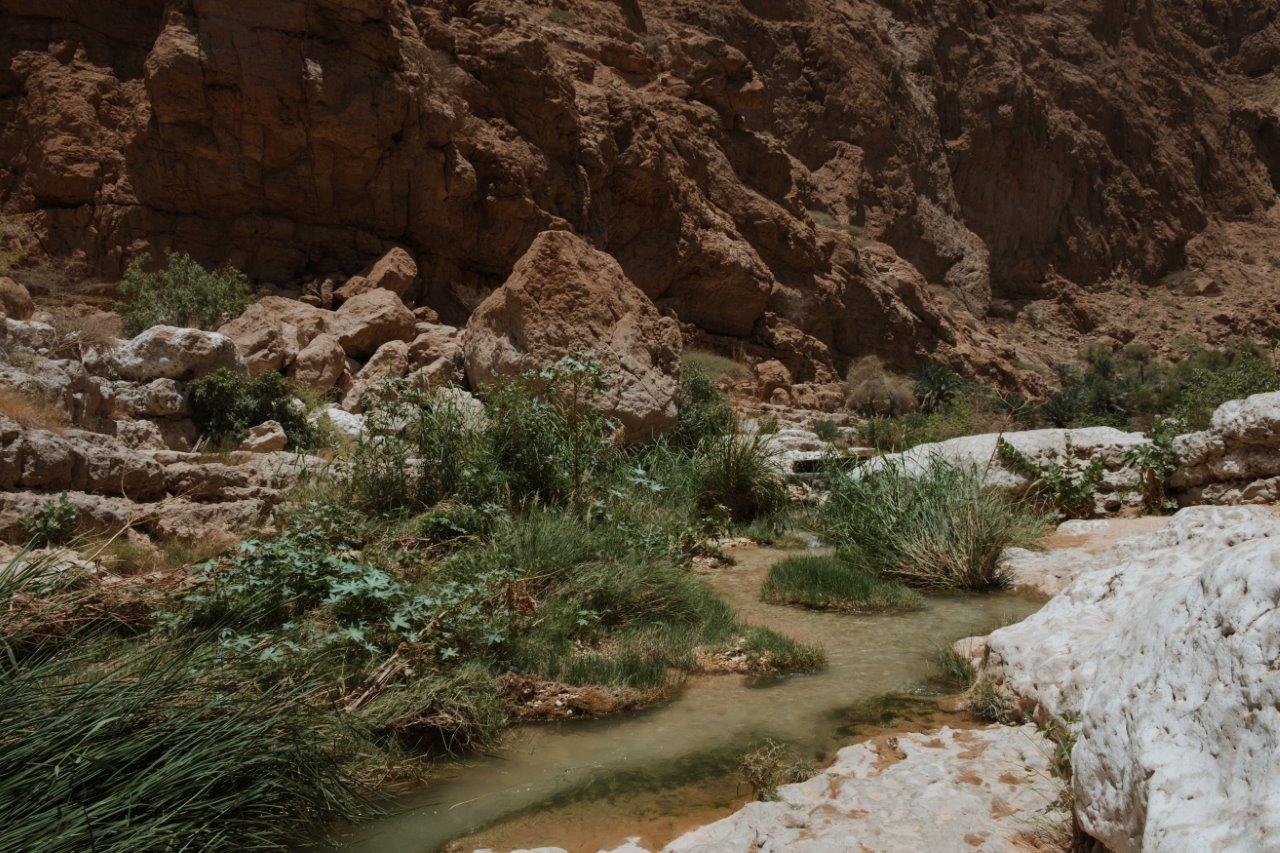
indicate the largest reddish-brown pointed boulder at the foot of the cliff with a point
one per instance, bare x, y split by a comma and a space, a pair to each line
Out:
565, 297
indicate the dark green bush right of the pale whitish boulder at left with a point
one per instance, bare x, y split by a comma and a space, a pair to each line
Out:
226, 405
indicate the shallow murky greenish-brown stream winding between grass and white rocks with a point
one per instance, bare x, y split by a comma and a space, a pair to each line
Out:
651, 776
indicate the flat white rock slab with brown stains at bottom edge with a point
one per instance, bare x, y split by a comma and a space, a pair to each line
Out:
982, 790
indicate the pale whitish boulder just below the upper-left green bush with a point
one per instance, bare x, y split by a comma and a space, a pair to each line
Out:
167, 353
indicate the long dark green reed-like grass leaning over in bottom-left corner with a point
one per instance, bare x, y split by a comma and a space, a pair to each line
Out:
157, 746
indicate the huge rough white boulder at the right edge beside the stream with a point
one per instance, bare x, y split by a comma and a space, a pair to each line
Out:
1164, 649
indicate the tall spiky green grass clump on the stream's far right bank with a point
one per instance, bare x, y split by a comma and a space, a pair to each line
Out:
940, 528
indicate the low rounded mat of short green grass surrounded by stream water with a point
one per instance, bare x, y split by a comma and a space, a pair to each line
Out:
828, 583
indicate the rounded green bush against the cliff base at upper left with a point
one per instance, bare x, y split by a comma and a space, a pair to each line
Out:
184, 294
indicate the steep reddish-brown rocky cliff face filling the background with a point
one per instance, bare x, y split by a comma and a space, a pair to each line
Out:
980, 181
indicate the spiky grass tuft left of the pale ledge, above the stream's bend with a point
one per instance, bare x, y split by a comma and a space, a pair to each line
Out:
738, 477
